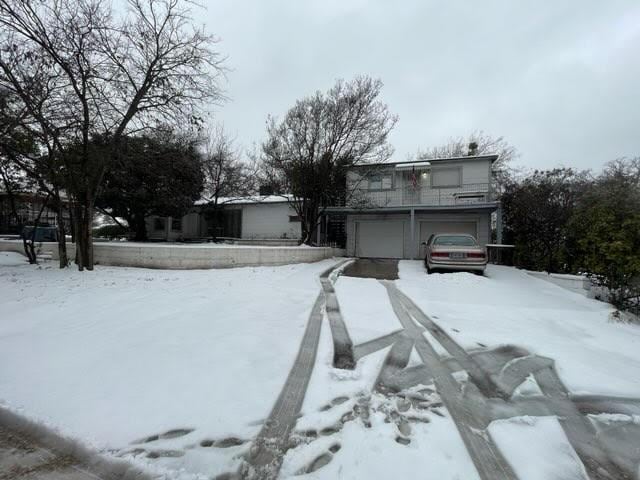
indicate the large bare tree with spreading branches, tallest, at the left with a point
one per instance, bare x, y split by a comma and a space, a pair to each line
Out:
81, 73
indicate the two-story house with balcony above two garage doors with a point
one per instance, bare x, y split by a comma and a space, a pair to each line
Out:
392, 208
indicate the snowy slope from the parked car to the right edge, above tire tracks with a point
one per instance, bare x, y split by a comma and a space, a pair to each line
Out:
507, 306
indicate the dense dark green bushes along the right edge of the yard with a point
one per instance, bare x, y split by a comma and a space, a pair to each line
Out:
562, 221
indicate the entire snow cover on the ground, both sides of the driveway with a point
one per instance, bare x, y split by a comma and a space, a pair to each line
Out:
184, 366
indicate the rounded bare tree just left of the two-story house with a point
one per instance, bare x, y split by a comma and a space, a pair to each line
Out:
310, 150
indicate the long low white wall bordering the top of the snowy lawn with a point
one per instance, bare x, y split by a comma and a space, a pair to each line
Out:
172, 256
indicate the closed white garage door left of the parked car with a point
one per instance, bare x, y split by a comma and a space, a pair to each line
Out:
380, 239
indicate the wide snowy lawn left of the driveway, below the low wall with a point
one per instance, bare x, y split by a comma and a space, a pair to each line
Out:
113, 356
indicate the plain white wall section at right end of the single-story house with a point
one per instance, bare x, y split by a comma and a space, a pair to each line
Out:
269, 220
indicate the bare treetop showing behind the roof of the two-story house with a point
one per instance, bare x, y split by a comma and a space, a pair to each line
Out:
481, 144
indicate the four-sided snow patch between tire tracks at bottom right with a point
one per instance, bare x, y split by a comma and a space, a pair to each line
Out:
537, 448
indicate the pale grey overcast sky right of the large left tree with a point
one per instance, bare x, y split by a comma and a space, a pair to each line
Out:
559, 80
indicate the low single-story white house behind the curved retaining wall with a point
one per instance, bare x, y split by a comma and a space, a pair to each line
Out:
256, 218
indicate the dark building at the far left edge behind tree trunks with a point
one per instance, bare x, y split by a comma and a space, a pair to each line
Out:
27, 207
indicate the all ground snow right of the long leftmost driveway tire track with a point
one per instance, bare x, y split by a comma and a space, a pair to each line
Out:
506, 306
